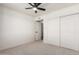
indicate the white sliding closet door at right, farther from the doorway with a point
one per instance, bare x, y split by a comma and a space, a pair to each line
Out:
69, 31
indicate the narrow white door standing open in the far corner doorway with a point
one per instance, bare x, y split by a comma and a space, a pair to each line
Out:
37, 31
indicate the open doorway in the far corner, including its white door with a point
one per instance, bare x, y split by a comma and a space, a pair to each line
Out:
39, 30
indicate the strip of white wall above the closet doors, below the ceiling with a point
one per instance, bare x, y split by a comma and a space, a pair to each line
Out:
61, 12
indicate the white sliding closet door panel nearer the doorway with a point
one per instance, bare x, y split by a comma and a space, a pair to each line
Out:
53, 31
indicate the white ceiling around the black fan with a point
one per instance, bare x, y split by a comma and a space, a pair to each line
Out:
50, 7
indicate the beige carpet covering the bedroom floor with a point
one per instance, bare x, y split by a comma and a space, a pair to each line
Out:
38, 48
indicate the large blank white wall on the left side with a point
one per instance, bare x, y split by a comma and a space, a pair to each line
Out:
16, 28
